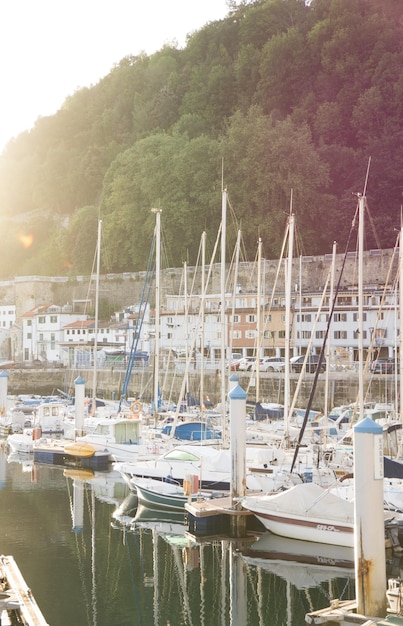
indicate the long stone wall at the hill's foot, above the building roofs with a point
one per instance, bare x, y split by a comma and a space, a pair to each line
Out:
310, 273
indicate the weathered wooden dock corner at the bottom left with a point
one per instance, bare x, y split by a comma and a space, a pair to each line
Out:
16, 597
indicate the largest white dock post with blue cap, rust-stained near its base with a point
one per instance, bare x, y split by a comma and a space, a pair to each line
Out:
369, 528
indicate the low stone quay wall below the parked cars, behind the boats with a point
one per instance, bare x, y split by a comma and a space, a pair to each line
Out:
343, 386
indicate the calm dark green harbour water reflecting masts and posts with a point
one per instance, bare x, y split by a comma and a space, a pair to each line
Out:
92, 559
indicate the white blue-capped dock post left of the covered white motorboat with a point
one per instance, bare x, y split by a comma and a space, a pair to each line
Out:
237, 414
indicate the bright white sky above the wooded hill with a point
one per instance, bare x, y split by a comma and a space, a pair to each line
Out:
51, 48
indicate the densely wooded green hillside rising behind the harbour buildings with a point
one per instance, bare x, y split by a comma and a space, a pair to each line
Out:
280, 95
